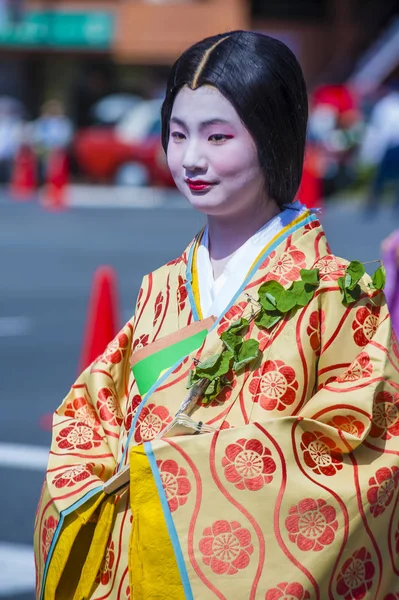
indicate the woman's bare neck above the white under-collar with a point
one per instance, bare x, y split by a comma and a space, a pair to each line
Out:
227, 234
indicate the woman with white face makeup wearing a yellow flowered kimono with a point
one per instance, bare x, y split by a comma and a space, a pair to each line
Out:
278, 477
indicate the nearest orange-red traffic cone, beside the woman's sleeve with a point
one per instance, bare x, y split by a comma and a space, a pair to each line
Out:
102, 319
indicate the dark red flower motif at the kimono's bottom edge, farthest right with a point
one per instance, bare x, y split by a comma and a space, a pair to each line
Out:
356, 576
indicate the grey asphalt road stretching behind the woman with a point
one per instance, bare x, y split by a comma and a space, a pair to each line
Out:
46, 264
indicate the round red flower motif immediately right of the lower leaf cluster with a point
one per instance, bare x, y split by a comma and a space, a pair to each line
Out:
274, 385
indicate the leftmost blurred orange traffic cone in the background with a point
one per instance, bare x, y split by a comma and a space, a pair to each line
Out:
23, 178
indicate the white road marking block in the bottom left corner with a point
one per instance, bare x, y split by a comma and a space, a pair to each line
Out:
17, 569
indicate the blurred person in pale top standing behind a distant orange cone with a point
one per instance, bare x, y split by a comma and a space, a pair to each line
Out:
51, 131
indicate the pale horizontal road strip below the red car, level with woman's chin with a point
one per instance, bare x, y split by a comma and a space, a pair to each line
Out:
83, 196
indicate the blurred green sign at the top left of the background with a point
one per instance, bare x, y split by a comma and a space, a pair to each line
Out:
89, 30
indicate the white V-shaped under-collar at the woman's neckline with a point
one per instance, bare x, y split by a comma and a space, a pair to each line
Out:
216, 295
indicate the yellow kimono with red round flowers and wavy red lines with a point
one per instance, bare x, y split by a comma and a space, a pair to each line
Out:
292, 496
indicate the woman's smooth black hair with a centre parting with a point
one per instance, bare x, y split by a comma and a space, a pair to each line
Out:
264, 82
